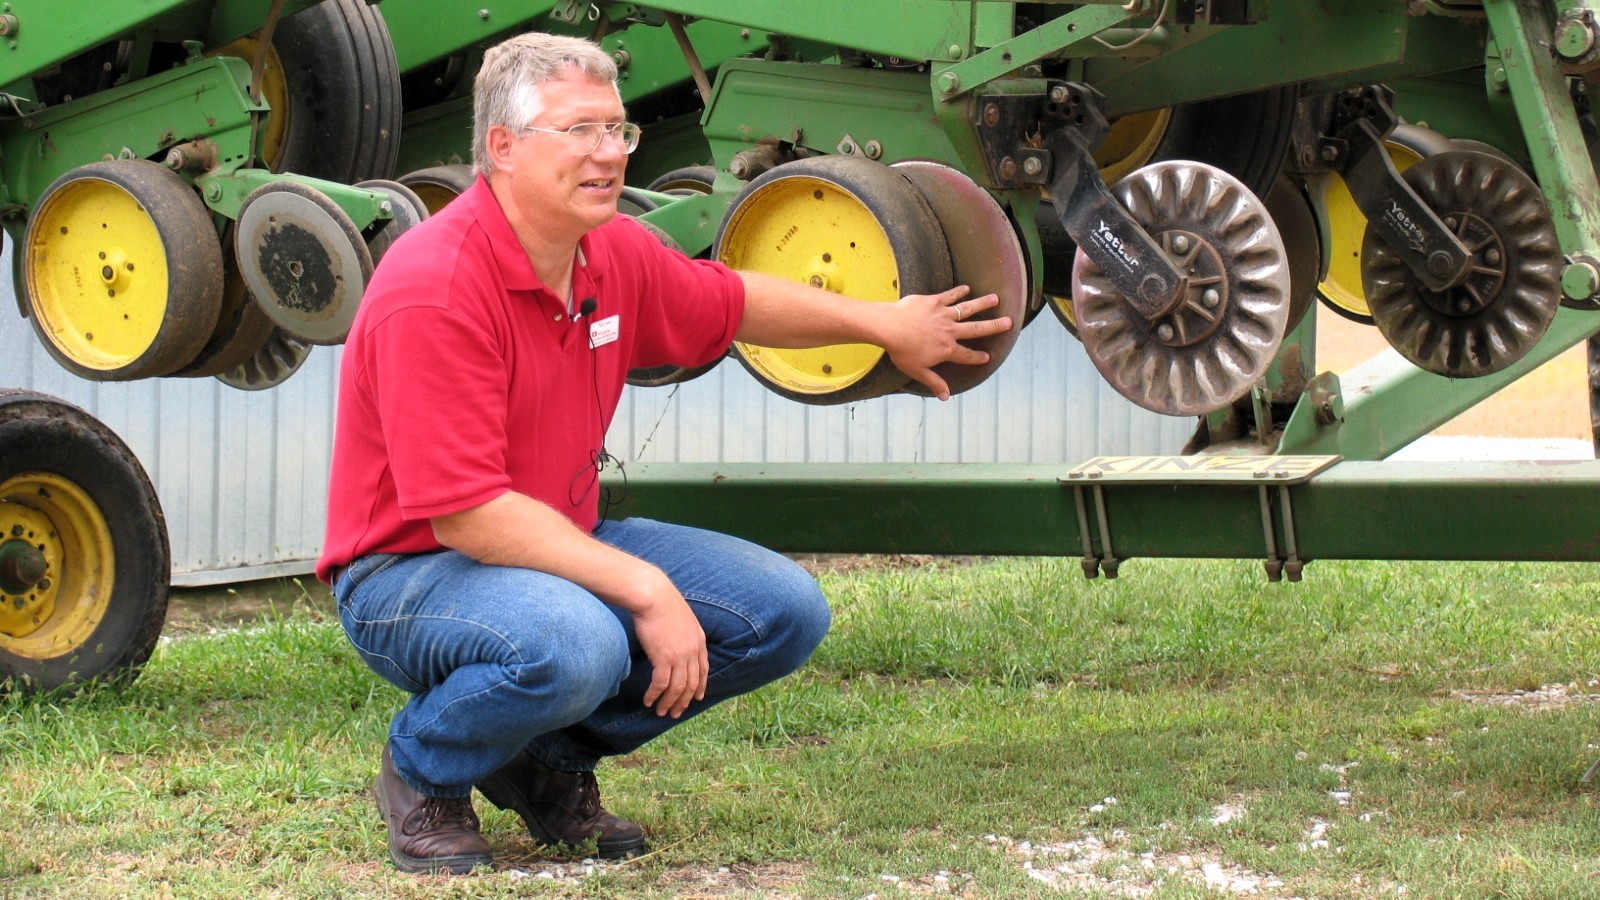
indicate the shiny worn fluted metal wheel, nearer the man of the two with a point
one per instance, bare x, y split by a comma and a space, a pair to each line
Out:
1222, 335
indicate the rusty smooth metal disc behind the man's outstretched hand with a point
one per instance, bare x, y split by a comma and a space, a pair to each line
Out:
985, 255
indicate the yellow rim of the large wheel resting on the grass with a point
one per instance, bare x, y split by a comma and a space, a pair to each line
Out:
62, 611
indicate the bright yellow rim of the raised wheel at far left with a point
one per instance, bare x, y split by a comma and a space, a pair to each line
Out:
98, 275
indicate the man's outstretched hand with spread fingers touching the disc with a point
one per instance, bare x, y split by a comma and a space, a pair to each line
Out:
927, 327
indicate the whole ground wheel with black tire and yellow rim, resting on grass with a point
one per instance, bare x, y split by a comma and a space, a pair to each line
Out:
84, 555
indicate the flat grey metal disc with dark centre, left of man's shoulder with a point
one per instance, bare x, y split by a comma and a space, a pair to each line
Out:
303, 260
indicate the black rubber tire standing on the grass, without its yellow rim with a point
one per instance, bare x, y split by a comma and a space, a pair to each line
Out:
42, 435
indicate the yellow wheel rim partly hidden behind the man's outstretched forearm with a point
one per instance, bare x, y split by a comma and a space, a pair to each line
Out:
814, 231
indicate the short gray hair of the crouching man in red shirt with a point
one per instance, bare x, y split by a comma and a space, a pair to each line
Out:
508, 94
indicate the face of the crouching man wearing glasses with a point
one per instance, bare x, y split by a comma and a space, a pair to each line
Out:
554, 183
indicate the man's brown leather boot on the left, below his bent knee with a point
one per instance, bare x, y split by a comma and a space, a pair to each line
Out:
428, 835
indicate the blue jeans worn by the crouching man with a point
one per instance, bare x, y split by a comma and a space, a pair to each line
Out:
502, 659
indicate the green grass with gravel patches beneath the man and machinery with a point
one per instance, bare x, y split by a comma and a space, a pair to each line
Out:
1002, 729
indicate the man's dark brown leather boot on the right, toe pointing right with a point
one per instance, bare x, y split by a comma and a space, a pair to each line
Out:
561, 808
